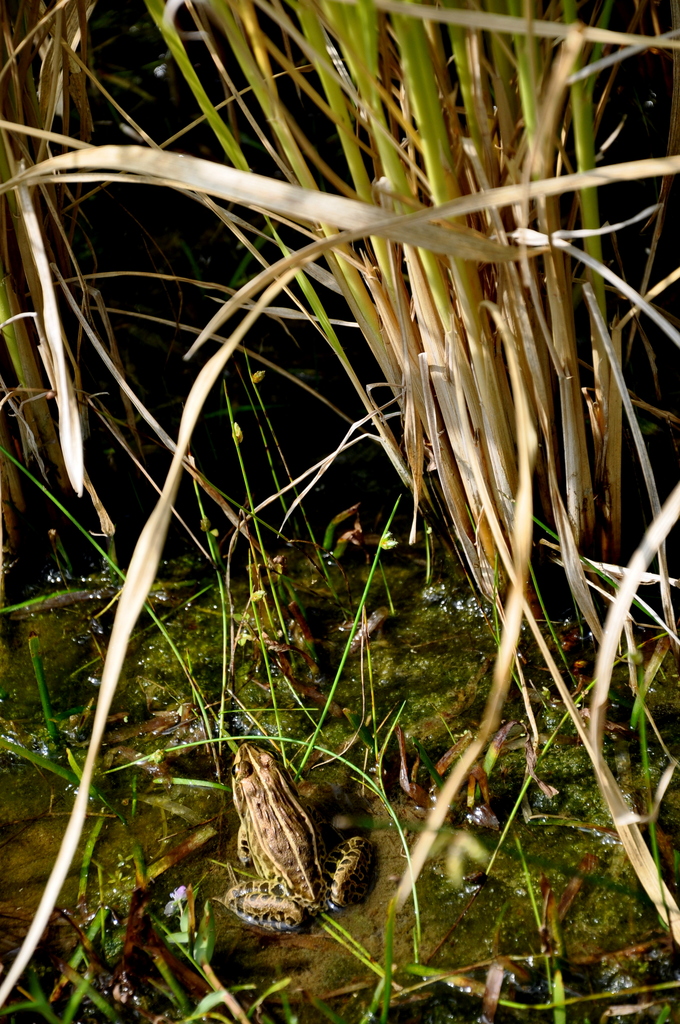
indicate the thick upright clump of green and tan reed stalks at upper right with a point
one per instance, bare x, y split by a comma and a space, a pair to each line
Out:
388, 87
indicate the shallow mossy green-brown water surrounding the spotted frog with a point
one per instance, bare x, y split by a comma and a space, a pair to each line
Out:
559, 898
